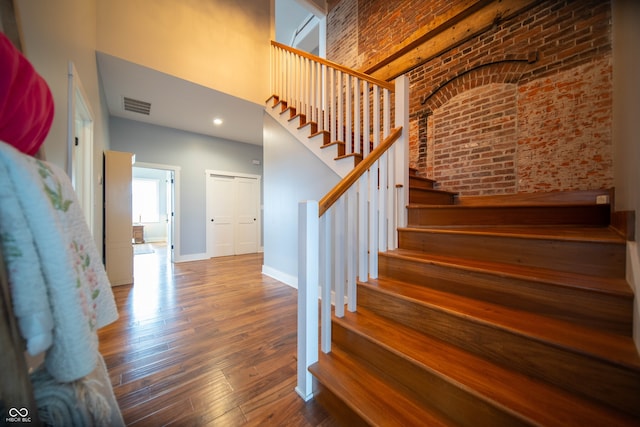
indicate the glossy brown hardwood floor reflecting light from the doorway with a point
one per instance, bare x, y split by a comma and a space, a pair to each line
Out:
206, 343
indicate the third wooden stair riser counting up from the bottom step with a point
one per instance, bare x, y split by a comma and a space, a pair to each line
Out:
573, 371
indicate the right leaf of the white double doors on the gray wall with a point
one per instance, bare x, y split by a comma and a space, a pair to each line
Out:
246, 219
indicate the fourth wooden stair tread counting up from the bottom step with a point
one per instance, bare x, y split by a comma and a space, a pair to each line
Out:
608, 285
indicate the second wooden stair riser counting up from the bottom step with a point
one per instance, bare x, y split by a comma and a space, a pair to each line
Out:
424, 385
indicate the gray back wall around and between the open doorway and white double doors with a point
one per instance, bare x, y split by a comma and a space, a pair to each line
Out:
193, 153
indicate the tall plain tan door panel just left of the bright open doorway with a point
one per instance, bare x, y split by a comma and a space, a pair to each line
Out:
118, 227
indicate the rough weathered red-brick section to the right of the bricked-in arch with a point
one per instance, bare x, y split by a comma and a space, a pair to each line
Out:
566, 144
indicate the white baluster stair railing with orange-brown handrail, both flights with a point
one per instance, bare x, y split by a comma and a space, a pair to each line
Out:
341, 235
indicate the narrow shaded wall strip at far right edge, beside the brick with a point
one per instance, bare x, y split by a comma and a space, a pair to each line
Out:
626, 130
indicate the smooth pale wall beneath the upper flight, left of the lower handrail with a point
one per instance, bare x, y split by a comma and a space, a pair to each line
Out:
291, 174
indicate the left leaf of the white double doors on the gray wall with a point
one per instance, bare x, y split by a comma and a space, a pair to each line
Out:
221, 210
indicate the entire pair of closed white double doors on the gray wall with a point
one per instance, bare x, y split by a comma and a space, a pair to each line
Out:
233, 213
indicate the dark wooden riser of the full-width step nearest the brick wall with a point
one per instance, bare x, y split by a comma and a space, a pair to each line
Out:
597, 215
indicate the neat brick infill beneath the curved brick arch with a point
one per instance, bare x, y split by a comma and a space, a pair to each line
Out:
479, 156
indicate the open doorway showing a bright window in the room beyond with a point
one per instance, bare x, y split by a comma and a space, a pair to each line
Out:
155, 211
